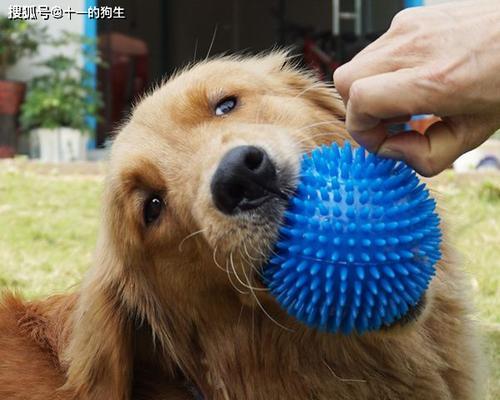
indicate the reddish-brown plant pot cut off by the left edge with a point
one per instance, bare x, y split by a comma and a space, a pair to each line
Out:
11, 98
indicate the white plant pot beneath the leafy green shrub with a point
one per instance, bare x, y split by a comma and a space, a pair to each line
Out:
58, 145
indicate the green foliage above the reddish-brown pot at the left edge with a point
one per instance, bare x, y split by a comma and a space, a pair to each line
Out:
18, 38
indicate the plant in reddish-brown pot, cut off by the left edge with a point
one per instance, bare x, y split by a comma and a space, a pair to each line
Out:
18, 39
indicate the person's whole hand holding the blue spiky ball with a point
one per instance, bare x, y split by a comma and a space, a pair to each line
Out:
442, 60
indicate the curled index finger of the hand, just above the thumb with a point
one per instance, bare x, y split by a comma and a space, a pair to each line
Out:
385, 96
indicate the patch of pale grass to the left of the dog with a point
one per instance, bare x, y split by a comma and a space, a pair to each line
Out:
48, 226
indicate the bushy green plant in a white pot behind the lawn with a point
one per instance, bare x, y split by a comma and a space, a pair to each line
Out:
59, 104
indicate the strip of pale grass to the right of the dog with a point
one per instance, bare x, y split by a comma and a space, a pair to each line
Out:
472, 206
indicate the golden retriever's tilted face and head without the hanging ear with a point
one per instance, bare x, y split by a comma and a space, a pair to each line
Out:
201, 173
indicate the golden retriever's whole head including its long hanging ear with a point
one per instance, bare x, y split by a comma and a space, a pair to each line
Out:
199, 179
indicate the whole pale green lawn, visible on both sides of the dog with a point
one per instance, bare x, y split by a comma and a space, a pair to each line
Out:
49, 221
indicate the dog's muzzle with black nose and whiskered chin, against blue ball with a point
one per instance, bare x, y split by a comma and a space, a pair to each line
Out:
251, 191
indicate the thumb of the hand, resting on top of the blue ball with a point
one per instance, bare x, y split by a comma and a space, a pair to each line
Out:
428, 154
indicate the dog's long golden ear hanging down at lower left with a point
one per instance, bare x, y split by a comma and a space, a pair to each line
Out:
99, 354
